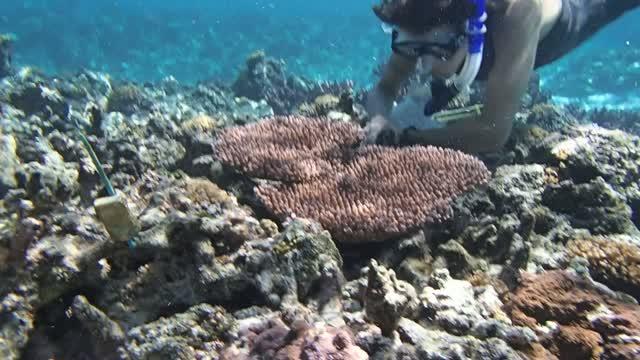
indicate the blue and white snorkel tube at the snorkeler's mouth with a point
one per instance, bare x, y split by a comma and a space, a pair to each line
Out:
444, 92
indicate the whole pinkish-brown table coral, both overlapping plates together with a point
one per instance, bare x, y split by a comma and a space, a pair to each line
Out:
373, 194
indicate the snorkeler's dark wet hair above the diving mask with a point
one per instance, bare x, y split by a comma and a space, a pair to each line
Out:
422, 15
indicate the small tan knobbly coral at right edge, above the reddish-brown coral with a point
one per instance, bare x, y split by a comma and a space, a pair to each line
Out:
615, 263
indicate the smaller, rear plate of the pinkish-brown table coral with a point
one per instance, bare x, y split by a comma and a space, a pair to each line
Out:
287, 148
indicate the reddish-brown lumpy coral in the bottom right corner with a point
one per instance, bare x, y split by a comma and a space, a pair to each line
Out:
575, 318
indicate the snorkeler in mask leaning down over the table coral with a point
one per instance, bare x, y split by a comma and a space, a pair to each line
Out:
459, 41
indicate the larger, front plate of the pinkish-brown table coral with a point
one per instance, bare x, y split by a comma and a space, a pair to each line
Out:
382, 193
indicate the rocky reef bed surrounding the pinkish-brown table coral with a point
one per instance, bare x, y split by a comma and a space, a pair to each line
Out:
541, 262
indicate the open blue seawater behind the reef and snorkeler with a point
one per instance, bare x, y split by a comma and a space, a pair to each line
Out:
331, 40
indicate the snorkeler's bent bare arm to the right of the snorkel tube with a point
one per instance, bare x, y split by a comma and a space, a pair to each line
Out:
517, 35
